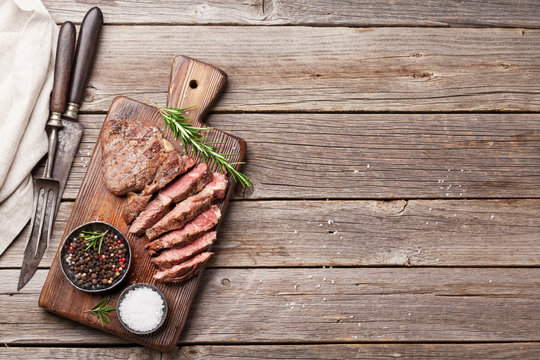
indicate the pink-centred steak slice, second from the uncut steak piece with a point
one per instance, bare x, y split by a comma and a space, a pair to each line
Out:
190, 208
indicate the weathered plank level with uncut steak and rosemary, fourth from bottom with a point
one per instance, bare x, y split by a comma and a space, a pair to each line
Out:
316, 155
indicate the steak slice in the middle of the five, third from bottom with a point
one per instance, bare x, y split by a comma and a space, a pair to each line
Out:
202, 223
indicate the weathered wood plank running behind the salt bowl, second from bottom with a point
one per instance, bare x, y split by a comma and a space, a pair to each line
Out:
299, 306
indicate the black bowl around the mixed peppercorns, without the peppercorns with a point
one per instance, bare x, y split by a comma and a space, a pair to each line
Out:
96, 226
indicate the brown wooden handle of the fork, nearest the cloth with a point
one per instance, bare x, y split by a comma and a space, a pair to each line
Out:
62, 67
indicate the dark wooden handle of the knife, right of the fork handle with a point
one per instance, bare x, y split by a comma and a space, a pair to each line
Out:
84, 55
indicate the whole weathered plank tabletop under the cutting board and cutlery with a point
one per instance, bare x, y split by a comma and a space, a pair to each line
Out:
395, 152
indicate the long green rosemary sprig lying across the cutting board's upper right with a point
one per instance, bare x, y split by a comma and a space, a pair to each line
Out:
178, 123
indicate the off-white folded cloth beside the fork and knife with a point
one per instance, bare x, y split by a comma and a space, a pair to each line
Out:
27, 51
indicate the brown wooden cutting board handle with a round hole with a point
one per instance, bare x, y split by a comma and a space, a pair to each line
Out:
194, 83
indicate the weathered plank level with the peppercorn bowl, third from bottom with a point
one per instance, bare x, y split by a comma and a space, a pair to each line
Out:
368, 233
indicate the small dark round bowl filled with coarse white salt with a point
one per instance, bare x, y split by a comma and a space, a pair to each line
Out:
141, 309
